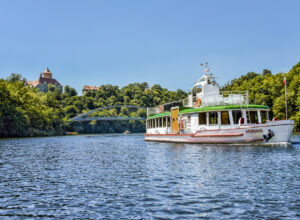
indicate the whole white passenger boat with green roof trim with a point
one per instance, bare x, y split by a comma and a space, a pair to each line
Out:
211, 116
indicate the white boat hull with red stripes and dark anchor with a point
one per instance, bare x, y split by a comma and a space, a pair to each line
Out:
269, 133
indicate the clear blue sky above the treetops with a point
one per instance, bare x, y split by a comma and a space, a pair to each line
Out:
158, 41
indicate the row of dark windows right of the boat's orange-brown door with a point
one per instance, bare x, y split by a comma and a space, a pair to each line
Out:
212, 117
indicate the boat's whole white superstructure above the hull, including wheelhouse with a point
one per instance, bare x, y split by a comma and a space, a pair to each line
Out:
206, 108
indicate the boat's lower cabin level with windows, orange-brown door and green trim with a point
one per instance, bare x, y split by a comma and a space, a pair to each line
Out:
190, 120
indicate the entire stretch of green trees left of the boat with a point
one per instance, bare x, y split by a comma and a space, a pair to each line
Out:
25, 111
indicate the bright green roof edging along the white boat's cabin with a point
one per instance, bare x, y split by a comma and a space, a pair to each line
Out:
211, 108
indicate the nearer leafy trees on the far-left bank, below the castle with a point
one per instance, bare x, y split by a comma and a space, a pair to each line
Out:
26, 112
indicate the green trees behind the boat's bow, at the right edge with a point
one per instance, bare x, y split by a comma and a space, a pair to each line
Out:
268, 89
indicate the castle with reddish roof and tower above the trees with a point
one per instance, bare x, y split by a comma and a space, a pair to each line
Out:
44, 80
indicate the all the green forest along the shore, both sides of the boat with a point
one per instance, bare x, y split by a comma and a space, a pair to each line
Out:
25, 111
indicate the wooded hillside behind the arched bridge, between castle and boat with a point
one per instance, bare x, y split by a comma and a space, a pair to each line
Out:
138, 94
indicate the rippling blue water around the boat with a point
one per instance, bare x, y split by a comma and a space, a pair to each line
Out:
121, 176
